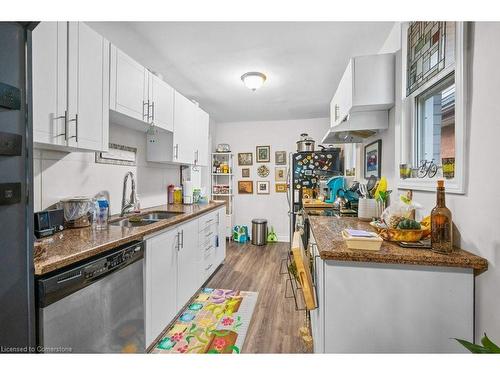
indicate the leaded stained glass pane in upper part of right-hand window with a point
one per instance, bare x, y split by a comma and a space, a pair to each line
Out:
431, 49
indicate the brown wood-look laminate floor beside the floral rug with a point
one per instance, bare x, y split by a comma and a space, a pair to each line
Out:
275, 323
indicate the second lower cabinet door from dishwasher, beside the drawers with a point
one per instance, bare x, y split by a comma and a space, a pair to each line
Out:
188, 263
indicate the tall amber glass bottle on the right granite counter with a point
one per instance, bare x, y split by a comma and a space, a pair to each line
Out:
441, 223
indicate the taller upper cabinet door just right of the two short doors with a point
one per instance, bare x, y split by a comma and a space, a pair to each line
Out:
184, 118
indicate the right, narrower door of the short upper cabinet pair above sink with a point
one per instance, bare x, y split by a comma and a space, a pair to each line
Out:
161, 97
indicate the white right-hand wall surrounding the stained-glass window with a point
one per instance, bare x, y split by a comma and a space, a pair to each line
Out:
476, 214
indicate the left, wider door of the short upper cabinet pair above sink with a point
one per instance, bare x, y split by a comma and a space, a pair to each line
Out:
129, 86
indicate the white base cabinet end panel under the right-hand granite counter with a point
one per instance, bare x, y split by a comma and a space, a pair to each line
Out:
391, 308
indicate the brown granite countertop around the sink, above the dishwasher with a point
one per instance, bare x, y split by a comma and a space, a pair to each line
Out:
73, 245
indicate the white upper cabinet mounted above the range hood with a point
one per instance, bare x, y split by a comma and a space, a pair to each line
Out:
367, 85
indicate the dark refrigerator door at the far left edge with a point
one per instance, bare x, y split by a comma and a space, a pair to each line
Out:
16, 206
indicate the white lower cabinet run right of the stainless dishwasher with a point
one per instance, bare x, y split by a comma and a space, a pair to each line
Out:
178, 262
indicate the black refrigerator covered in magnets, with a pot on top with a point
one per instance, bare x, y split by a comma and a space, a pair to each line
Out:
306, 171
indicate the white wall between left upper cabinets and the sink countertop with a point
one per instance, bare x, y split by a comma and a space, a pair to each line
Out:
59, 174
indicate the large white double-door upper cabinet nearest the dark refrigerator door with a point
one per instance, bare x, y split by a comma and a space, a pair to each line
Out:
70, 87
